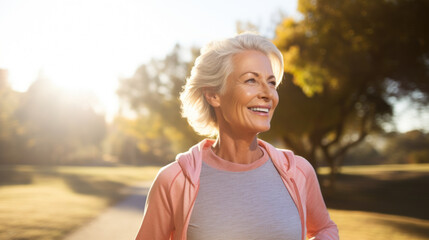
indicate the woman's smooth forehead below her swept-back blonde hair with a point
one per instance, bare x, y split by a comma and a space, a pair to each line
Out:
251, 61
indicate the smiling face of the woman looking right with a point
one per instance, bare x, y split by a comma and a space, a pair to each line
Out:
250, 97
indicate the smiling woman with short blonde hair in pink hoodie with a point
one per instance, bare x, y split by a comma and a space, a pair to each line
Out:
237, 186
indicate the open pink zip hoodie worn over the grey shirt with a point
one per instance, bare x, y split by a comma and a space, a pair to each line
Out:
171, 198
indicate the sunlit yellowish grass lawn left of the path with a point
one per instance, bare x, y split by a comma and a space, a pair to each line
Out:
48, 202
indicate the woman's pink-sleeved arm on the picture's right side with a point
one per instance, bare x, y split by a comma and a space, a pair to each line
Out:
319, 224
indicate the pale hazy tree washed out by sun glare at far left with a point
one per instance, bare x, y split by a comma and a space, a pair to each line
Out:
59, 127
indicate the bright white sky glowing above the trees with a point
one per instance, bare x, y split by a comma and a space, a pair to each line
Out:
90, 44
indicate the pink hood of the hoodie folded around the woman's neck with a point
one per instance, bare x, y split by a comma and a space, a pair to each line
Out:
191, 161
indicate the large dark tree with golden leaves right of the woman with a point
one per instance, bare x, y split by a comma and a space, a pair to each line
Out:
343, 61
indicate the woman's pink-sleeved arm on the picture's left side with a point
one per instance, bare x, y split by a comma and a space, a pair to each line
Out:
158, 218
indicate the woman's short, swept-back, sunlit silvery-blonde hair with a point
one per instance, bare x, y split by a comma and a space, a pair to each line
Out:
210, 71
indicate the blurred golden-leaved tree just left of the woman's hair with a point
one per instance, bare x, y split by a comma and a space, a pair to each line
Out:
153, 94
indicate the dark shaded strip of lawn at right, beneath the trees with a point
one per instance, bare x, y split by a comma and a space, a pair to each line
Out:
396, 193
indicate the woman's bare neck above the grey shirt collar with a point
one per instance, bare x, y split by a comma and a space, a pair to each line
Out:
237, 149
